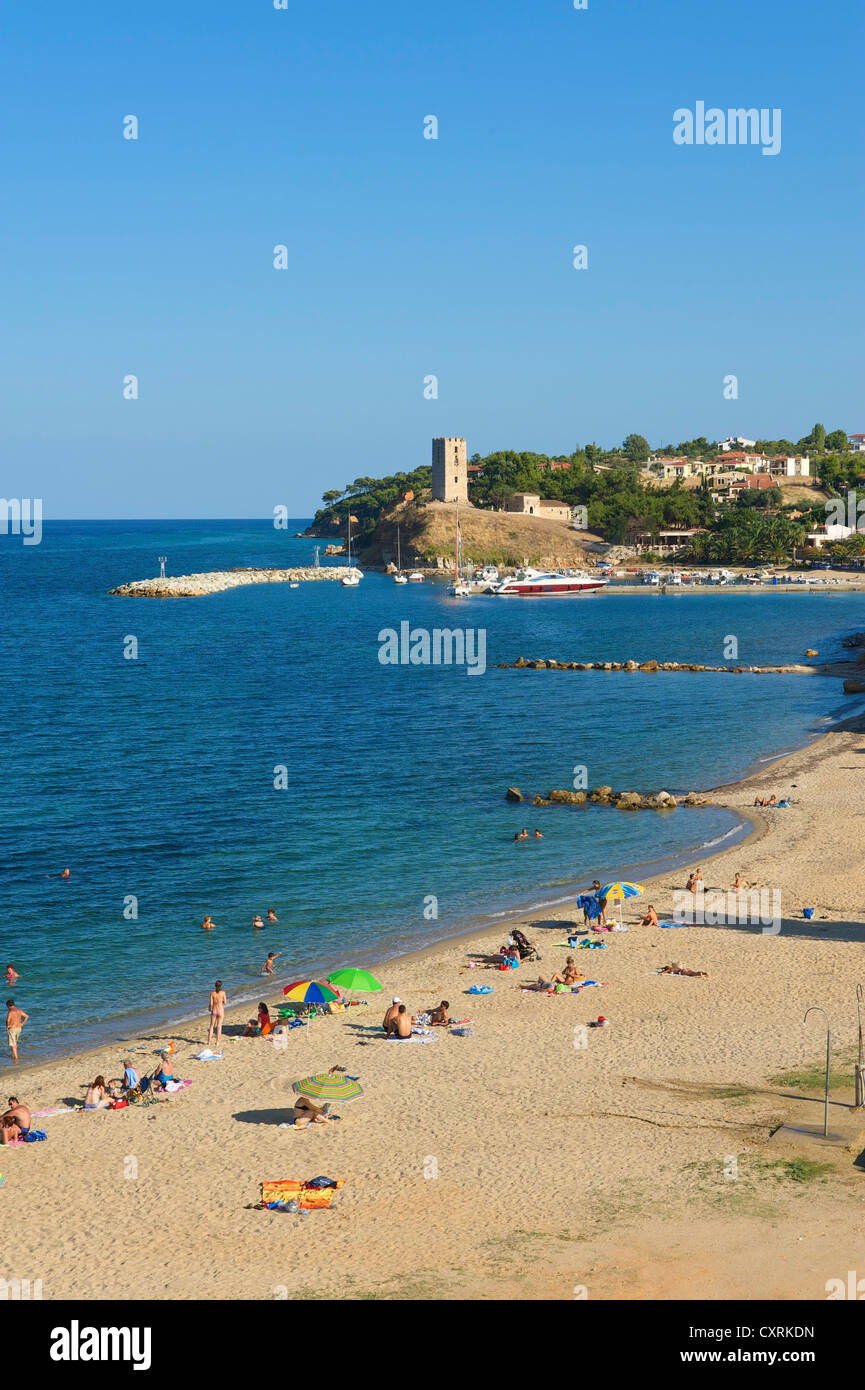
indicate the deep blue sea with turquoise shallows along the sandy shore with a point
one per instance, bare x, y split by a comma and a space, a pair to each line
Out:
155, 778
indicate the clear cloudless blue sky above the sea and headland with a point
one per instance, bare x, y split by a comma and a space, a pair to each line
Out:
410, 256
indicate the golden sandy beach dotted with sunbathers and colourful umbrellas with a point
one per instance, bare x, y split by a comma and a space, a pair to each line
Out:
515, 1160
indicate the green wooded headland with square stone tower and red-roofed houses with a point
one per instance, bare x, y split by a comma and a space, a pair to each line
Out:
735, 501
